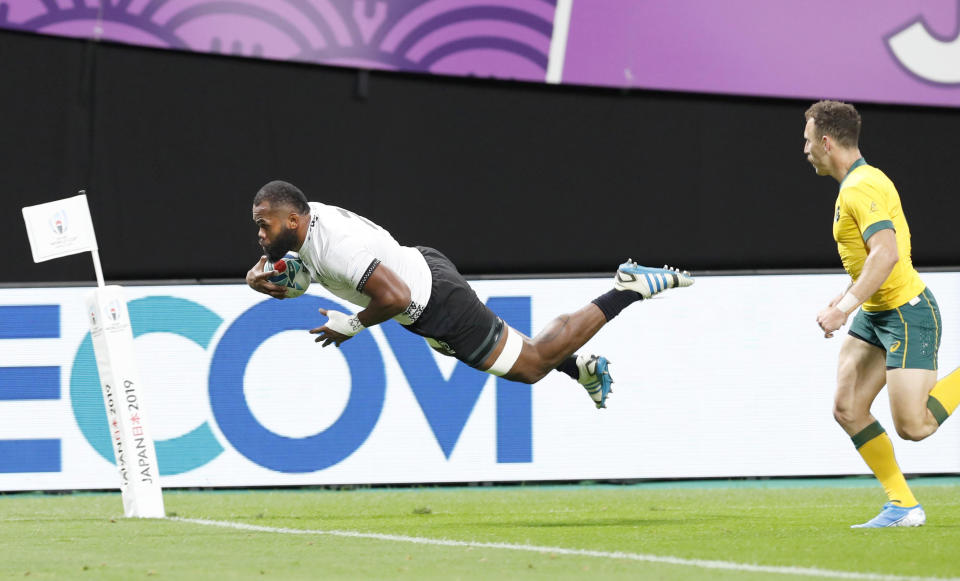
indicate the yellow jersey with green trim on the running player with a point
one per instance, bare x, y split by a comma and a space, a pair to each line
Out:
868, 202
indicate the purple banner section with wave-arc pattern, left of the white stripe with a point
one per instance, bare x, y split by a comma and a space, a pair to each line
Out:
501, 38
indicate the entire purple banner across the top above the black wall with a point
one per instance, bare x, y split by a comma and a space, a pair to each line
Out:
879, 50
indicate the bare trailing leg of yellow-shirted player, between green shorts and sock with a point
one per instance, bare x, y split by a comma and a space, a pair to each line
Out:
909, 390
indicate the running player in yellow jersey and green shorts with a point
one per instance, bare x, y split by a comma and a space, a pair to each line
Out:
895, 336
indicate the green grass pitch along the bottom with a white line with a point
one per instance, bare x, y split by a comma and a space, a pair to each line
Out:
778, 529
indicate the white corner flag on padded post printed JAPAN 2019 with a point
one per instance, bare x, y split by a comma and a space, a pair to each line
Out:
64, 227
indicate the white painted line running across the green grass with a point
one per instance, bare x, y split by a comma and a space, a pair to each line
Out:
703, 564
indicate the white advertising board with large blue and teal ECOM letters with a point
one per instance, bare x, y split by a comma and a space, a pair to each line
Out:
728, 378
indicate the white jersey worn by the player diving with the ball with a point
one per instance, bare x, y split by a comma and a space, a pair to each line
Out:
342, 250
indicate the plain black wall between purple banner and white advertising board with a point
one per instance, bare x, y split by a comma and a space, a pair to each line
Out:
505, 178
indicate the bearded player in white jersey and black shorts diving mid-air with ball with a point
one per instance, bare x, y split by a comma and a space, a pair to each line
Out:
422, 290
